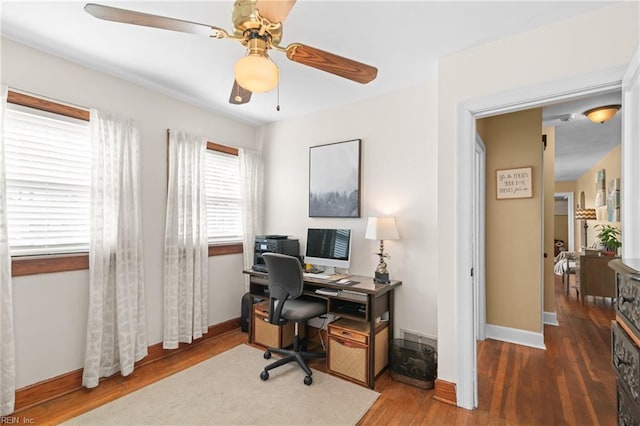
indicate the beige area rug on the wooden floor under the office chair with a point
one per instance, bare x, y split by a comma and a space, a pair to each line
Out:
227, 390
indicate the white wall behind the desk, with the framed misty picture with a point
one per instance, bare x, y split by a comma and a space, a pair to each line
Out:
398, 169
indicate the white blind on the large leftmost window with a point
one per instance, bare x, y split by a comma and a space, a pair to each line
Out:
48, 171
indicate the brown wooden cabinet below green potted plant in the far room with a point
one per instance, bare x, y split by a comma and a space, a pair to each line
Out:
596, 278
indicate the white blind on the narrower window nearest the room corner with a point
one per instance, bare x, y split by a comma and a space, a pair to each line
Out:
222, 176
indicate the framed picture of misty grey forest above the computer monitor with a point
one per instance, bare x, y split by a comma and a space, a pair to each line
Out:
334, 179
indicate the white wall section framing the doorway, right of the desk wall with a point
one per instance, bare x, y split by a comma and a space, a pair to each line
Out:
569, 48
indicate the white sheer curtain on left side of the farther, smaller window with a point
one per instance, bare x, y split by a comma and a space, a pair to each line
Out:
186, 249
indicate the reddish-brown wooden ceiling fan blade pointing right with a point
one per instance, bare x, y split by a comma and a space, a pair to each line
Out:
329, 62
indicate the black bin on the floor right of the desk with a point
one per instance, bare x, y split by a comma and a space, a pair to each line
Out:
414, 363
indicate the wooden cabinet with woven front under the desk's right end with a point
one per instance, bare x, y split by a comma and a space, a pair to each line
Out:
350, 346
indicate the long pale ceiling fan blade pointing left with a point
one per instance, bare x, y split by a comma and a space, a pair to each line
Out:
115, 14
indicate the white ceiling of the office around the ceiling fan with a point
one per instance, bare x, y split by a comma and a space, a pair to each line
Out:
403, 39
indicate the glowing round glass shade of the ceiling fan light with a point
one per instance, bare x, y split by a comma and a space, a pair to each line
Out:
256, 73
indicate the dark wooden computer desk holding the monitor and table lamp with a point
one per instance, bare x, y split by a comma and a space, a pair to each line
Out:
367, 302
